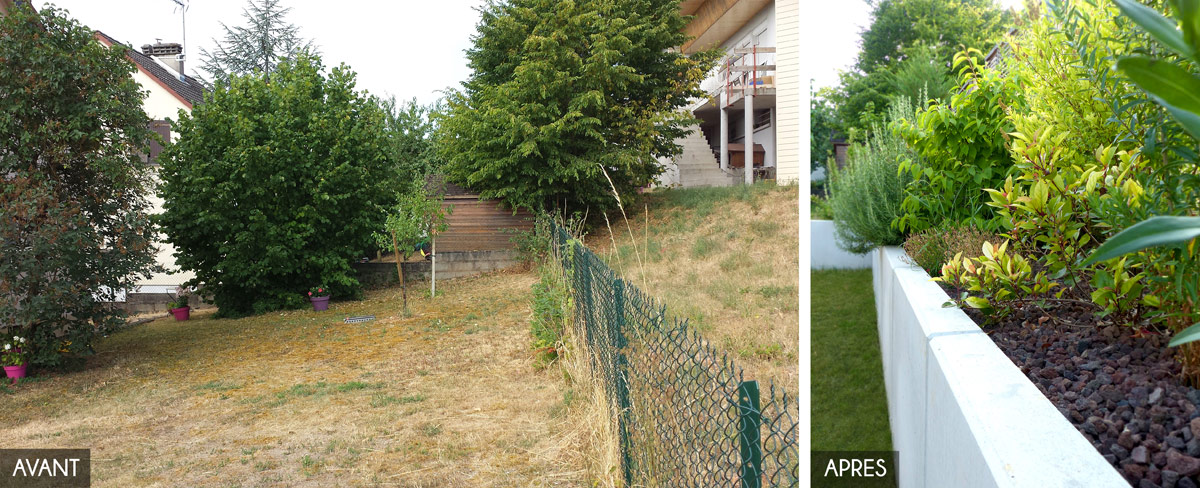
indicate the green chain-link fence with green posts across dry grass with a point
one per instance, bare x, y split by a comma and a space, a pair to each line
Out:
686, 415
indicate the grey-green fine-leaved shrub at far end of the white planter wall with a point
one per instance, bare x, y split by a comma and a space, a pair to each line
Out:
866, 196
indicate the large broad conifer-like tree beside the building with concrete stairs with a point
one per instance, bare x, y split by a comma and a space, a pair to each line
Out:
566, 92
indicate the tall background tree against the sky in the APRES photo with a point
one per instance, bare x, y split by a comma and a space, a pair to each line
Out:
902, 29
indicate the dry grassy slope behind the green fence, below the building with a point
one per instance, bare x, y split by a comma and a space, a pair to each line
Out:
727, 260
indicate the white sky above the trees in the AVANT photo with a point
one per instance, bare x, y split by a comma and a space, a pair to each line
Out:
403, 49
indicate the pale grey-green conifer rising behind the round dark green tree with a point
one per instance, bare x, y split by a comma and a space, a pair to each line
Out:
260, 46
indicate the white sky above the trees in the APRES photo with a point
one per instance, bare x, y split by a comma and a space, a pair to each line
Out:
836, 27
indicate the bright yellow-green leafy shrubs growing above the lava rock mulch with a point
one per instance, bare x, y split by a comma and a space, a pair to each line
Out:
1090, 155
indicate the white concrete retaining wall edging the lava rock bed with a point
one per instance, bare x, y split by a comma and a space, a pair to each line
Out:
963, 415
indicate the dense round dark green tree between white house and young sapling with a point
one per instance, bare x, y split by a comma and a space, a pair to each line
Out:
277, 186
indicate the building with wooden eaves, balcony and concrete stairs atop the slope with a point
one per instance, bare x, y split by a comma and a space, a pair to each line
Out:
749, 123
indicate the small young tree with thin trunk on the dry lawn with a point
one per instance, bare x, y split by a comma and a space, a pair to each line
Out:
413, 221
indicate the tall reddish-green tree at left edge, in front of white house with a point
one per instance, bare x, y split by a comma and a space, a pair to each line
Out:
74, 225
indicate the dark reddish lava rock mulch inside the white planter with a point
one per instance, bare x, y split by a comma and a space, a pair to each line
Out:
1123, 393
